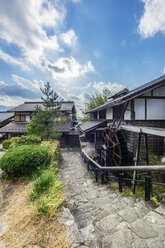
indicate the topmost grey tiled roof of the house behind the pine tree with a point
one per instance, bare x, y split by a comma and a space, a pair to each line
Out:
30, 106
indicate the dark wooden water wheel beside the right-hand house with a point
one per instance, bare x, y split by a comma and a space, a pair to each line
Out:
112, 143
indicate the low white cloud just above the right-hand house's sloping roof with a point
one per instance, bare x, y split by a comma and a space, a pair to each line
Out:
112, 87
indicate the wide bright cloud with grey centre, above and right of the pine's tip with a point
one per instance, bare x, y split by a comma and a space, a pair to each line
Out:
66, 68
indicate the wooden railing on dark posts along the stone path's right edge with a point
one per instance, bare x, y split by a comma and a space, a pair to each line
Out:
102, 172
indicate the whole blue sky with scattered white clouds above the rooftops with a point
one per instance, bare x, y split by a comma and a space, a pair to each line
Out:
79, 46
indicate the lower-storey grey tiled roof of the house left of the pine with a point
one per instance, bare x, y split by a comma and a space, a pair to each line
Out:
14, 127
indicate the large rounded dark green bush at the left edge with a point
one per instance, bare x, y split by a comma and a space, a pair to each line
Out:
24, 160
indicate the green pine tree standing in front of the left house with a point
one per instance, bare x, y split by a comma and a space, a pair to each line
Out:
43, 123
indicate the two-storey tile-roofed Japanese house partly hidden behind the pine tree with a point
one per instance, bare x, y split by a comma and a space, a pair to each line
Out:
23, 113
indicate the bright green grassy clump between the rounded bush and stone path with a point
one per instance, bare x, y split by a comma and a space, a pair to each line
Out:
42, 183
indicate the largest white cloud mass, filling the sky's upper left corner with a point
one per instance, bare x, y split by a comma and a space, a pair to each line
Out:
23, 22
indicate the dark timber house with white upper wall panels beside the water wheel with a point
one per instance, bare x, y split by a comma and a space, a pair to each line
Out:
136, 112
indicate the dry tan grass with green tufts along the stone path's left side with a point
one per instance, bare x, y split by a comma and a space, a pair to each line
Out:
40, 228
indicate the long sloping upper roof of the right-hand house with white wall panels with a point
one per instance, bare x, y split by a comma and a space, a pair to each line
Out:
132, 94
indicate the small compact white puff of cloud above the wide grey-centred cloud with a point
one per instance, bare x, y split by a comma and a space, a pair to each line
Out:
69, 38
